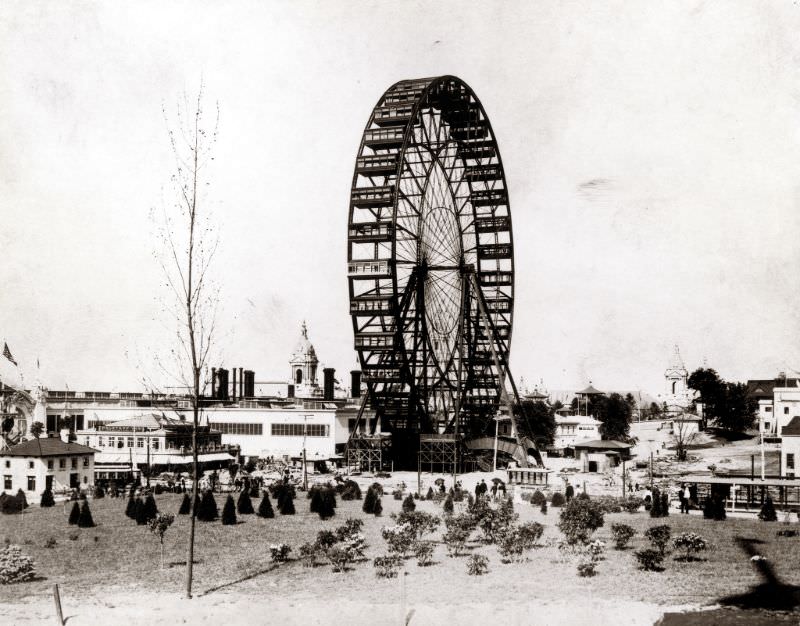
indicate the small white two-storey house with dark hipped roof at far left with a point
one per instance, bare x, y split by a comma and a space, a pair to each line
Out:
46, 463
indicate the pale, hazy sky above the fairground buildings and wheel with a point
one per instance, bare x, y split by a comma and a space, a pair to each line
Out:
651, 152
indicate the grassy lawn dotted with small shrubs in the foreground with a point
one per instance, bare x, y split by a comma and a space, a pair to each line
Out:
119, 556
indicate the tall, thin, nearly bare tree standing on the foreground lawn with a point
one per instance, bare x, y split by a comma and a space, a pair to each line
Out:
189, 241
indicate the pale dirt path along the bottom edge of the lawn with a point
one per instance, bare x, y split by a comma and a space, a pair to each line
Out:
232, 608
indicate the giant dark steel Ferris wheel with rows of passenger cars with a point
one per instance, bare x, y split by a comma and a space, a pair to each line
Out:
431, 261
